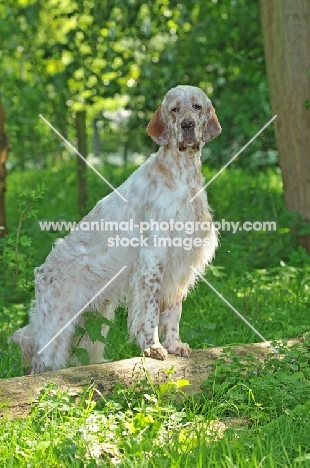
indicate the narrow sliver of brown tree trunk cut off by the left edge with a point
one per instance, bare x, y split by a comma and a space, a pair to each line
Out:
3, 156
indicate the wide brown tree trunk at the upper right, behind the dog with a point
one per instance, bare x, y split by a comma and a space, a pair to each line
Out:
286, 30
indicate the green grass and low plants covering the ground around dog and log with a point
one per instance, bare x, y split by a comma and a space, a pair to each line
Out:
247, 415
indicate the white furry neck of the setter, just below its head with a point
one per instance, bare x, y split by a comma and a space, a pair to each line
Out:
183, 164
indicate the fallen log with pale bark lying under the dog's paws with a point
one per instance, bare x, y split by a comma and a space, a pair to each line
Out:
17, 394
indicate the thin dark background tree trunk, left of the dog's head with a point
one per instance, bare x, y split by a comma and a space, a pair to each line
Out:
81, 164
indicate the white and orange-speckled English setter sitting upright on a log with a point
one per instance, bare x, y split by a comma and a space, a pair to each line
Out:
158, 275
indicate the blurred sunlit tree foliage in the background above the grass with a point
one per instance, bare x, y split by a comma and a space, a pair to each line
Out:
59, 57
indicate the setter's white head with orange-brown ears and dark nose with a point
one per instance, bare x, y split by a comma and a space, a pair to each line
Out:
186, 118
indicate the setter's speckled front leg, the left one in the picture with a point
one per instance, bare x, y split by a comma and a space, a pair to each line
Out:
144, 308
